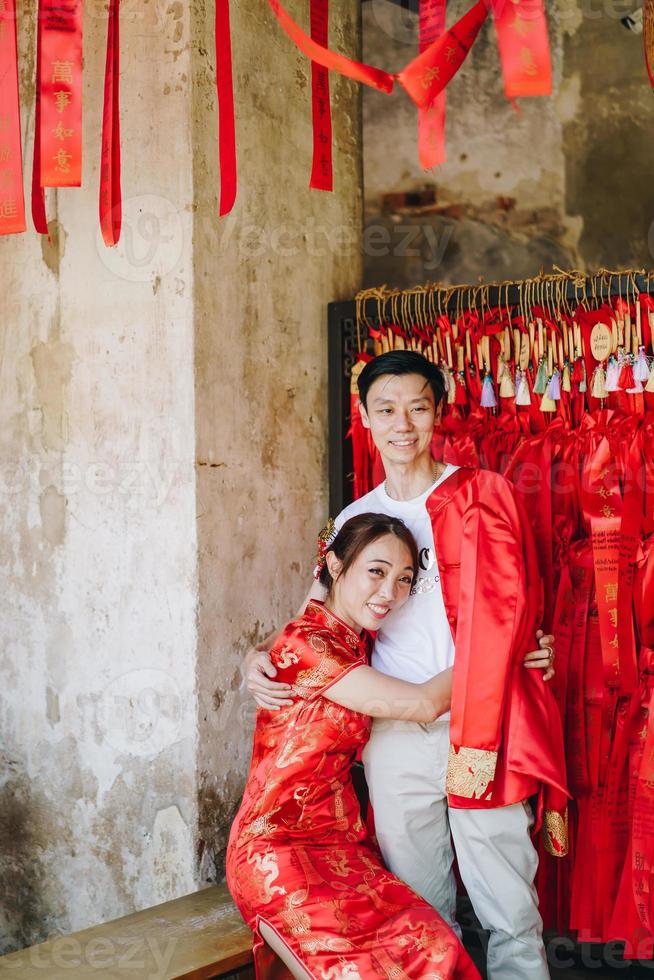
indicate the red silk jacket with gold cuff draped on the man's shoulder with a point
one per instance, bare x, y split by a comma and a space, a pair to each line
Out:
505, 729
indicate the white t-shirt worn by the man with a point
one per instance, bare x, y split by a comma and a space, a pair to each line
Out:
415, 641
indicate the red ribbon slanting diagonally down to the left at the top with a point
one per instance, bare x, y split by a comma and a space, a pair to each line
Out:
431, 71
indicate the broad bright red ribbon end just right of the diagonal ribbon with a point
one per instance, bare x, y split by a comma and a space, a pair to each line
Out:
524, 47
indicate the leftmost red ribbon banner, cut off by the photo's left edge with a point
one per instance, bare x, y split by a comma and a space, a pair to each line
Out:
12, 202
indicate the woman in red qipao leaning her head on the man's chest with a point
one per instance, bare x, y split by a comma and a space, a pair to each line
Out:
301, 867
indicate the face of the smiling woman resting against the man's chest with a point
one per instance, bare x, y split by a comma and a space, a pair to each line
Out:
378, 581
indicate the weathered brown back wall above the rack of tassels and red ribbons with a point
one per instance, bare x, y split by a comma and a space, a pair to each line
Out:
564, 181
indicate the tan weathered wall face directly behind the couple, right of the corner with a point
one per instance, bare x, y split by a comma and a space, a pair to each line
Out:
263, 278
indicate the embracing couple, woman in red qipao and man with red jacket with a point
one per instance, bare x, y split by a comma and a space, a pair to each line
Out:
300, 864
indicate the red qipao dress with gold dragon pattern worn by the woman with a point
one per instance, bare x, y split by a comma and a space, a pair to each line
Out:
299, 856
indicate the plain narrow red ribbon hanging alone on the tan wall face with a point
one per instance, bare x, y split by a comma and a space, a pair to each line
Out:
225, 94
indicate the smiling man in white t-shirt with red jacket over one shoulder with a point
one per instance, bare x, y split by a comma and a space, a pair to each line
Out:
407, 764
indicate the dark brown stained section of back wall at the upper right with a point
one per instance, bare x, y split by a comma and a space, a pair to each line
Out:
607, 113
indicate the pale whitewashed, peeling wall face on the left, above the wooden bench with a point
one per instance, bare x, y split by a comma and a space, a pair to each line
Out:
98, 809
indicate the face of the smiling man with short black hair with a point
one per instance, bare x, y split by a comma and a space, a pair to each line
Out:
400, 415
